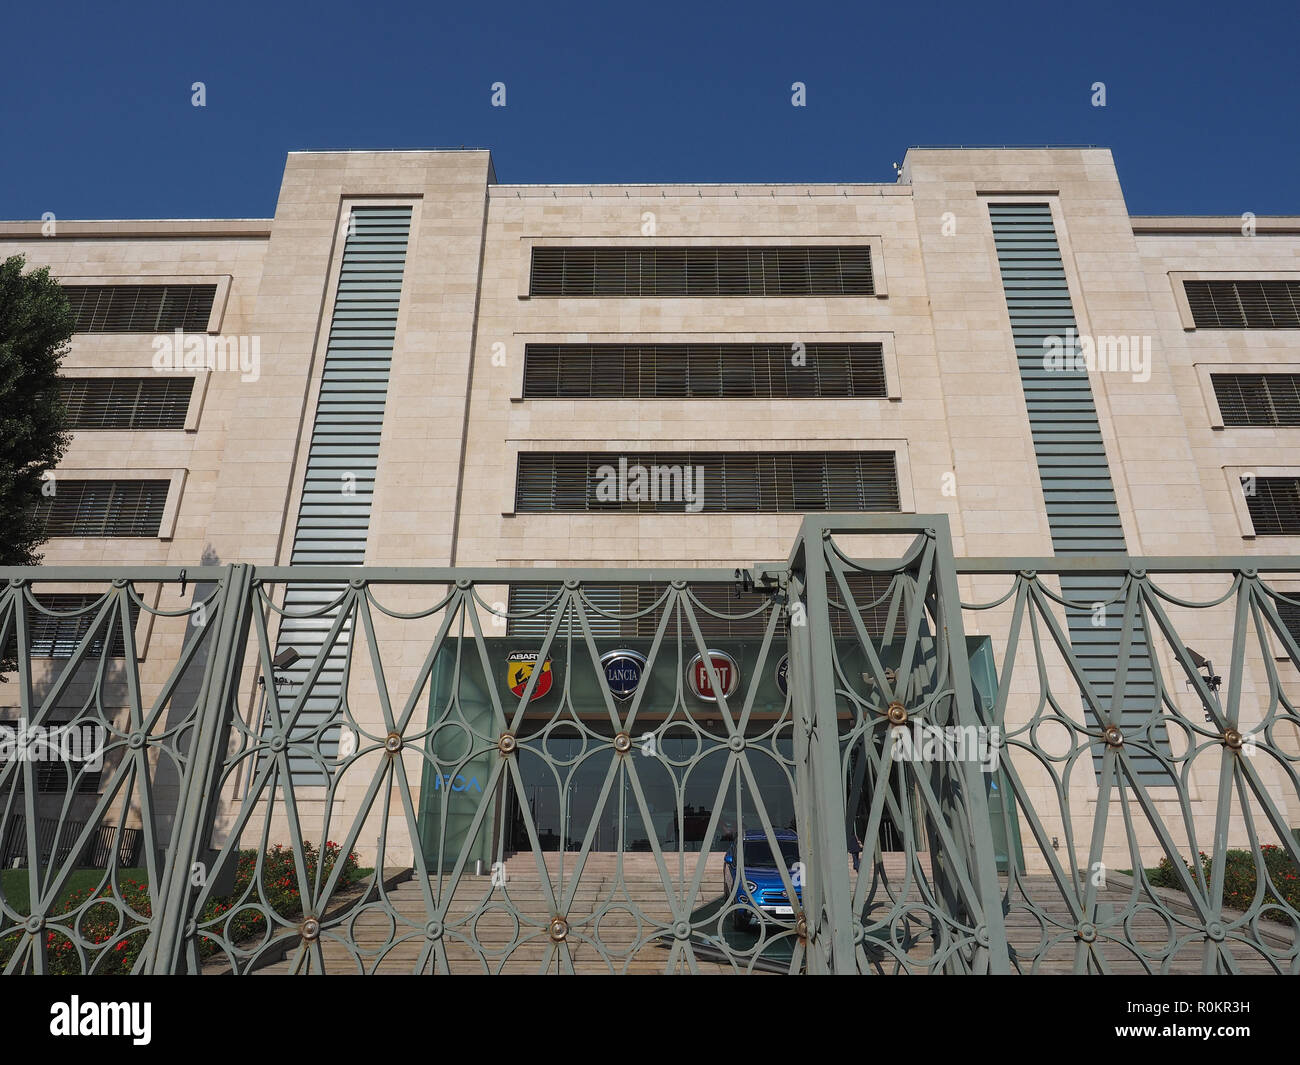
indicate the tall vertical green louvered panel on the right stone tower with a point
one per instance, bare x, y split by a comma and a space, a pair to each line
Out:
1072, 457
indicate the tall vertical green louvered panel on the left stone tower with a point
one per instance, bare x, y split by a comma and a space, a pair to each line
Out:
339, 486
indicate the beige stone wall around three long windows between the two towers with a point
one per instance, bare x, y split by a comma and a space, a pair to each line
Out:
502, 425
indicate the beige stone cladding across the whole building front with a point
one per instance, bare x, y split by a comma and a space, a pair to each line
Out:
456, 419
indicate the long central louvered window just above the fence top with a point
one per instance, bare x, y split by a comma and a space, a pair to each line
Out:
709, 482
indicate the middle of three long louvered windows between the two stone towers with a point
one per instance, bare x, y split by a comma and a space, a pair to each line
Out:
690, 371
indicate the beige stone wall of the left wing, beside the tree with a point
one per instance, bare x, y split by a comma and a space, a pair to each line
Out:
228, 254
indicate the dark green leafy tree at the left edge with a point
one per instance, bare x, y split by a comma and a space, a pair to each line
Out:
36, 326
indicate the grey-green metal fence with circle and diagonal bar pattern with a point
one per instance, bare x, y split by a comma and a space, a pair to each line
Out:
1037, 785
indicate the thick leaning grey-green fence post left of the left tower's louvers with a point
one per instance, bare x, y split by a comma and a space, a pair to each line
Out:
201, 796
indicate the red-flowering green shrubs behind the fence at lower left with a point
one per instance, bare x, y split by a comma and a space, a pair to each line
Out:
109, 920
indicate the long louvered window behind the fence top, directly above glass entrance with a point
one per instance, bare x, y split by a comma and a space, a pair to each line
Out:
635, 614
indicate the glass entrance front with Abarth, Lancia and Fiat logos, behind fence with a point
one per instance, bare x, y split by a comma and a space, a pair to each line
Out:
679, 783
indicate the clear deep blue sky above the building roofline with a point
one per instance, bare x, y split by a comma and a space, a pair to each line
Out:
97, 123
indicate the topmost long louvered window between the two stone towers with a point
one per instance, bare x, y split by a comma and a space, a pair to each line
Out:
703, 271
